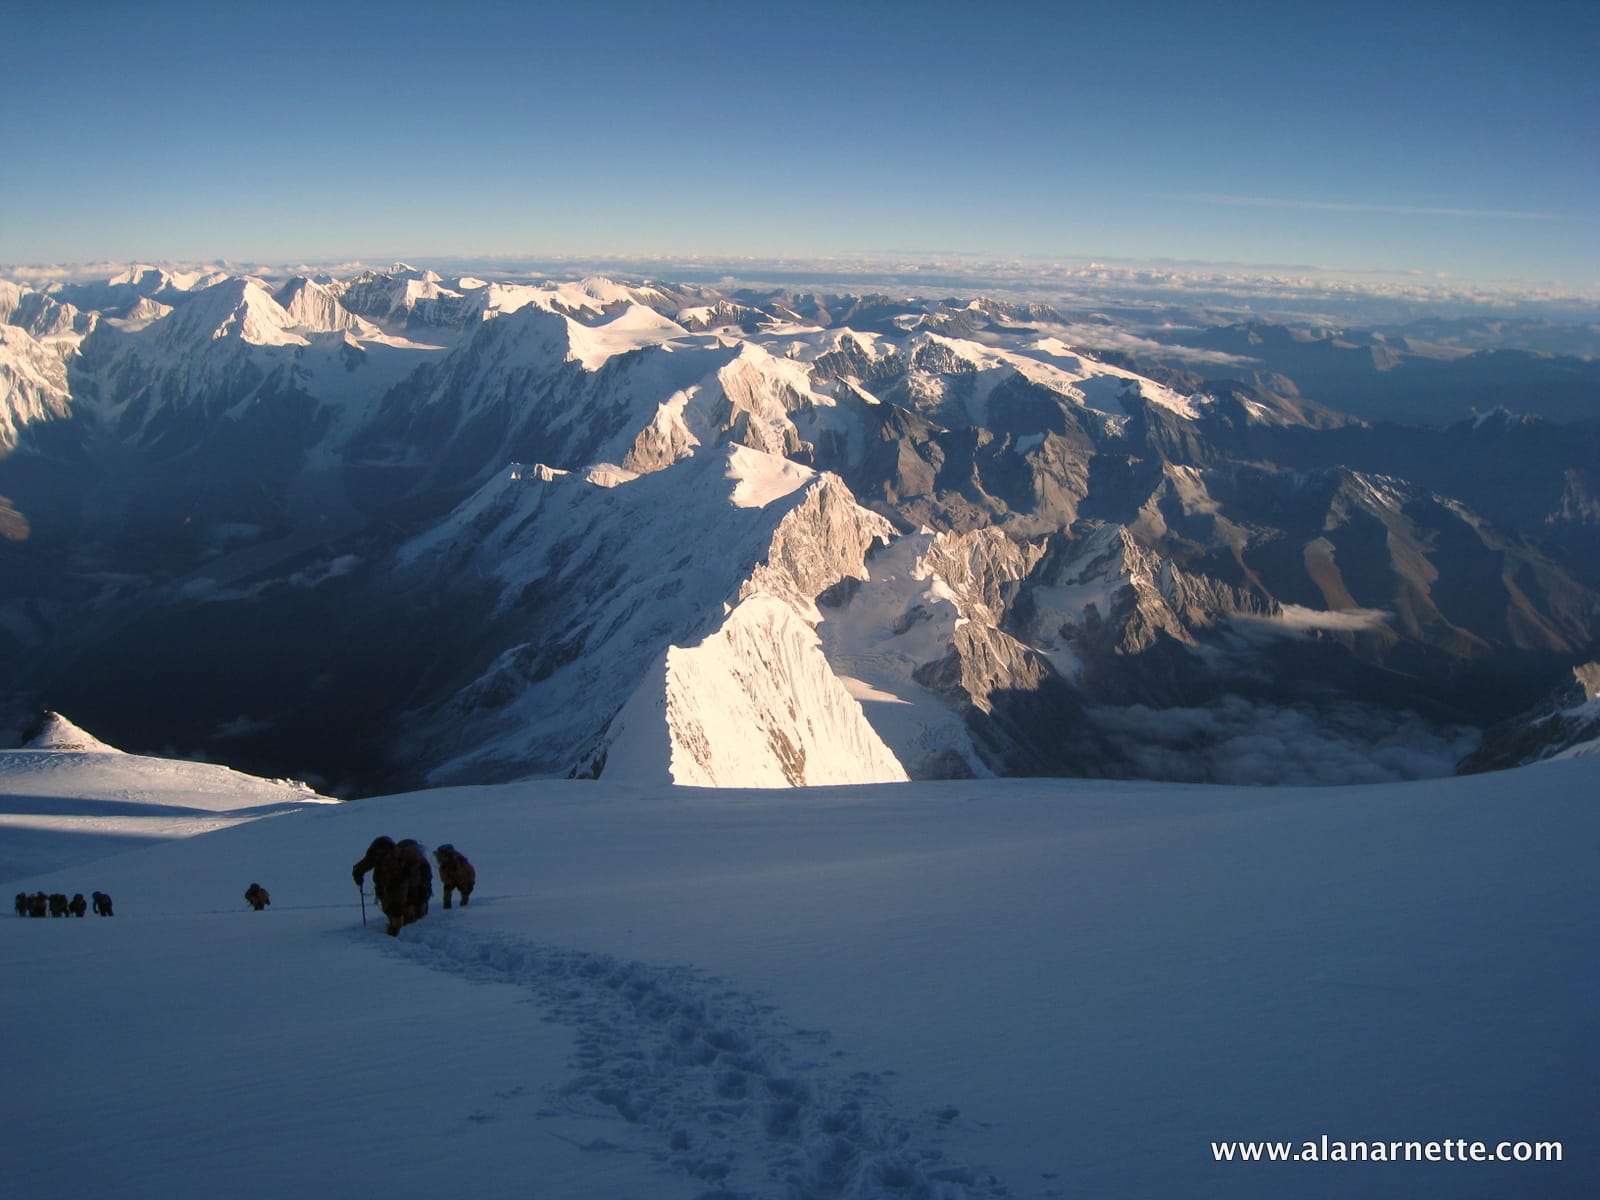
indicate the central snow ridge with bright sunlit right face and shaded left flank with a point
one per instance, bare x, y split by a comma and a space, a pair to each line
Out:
617, 585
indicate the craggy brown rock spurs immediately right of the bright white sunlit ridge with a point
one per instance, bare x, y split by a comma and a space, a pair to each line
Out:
1010, 636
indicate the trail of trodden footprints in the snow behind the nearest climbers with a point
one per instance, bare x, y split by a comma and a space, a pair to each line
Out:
719, 1084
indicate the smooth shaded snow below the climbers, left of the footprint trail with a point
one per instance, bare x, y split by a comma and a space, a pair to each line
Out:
278, 1058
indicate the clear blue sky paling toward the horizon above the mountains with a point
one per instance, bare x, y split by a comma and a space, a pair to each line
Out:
1441, 138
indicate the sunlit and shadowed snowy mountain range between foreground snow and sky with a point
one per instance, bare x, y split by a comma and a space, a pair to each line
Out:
402, 527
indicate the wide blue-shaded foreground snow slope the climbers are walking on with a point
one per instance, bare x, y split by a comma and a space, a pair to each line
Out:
958, 991
